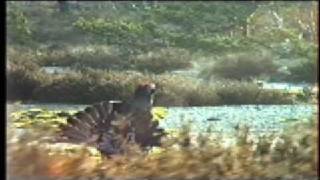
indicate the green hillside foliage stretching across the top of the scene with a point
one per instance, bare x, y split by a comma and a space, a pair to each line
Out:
138, 27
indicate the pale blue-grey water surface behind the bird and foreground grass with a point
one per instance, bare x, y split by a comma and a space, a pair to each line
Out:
259, 118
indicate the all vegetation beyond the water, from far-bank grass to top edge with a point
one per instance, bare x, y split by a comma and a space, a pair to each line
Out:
156, 38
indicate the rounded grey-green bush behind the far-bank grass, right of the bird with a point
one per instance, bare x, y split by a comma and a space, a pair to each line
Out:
241, 66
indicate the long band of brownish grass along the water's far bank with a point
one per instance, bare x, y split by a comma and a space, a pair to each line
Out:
90, 85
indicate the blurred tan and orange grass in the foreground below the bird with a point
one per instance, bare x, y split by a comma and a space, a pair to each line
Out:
287, 154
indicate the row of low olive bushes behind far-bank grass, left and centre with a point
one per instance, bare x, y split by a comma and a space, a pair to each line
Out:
97, 57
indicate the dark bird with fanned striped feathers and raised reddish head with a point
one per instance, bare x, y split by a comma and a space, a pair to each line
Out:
110, 125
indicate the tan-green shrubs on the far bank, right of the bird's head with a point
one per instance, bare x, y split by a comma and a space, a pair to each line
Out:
175, 90
